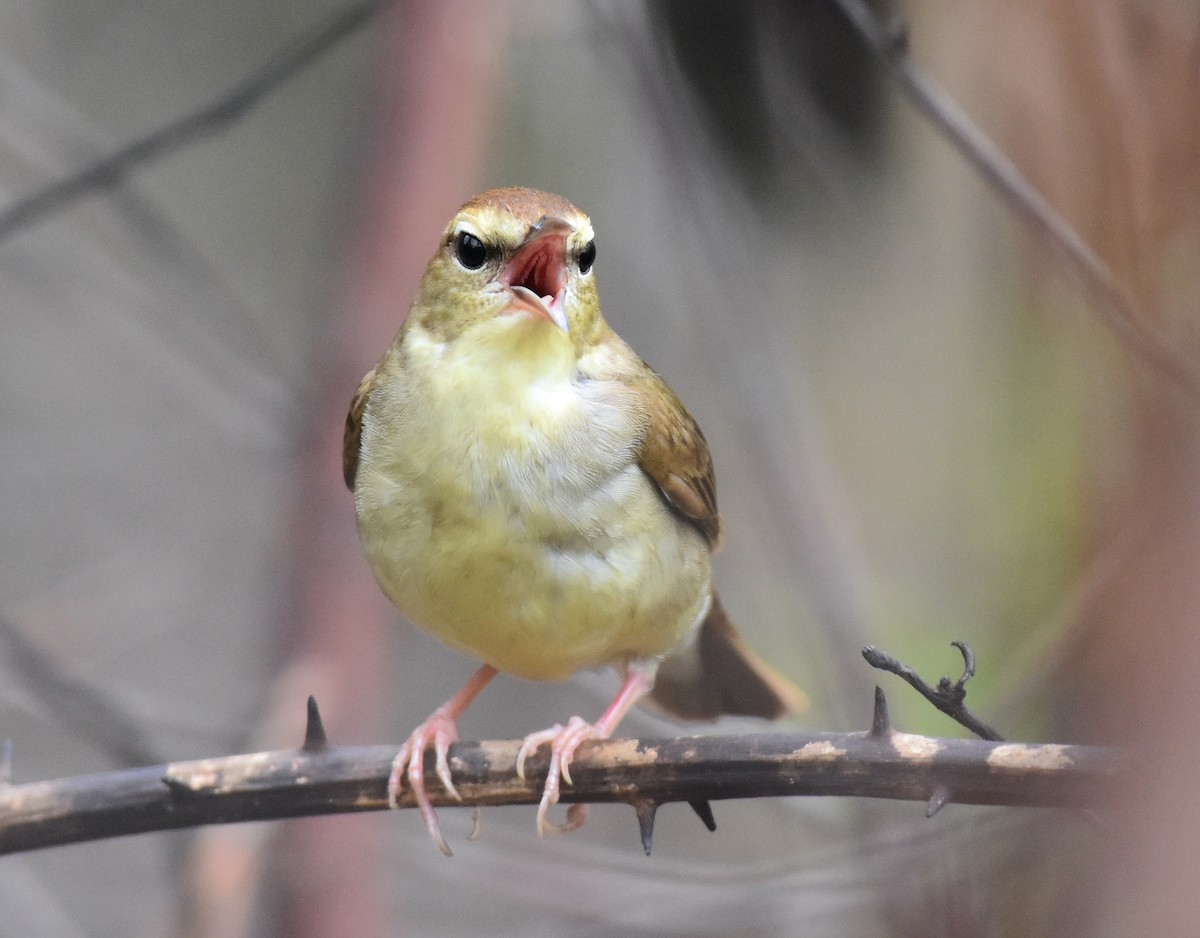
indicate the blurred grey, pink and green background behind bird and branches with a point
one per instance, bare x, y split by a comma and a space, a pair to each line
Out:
922, 432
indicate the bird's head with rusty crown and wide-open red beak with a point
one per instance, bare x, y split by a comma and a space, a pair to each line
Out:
520, 254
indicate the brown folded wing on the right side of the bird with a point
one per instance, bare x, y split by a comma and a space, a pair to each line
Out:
675, 455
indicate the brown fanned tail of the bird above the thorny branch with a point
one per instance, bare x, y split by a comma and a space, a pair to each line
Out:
718, 674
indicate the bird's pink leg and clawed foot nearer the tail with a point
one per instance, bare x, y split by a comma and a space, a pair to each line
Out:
565, 741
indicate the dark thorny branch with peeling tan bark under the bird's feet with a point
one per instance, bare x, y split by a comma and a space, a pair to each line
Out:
325, 780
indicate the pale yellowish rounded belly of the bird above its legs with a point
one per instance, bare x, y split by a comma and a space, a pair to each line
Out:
541, 597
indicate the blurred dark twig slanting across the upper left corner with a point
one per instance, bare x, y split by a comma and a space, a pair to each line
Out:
231, 107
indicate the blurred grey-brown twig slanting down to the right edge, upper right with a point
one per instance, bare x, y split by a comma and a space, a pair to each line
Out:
1114, 303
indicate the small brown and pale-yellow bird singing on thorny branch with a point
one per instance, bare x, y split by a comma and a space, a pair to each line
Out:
535, 495
